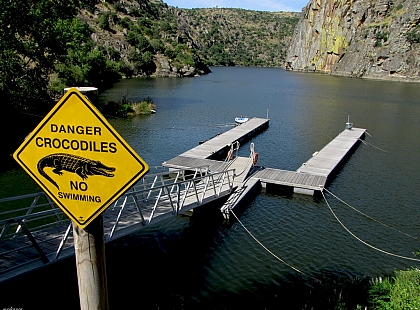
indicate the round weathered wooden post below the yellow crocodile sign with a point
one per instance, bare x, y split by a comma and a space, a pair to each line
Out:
89, 247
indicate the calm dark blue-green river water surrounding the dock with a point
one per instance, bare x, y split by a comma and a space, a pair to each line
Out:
196, 261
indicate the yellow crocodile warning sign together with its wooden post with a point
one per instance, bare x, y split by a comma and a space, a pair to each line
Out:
84, 166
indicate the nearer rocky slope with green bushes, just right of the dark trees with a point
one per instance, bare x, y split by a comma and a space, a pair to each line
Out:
144, 38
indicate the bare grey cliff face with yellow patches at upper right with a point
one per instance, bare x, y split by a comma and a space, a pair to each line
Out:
359, 38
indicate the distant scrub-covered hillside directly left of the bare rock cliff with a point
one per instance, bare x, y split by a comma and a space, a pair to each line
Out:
237, 36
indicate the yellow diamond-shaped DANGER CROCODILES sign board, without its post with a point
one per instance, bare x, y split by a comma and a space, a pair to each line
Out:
79, 159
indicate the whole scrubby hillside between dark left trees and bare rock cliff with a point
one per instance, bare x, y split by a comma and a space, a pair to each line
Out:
150, 38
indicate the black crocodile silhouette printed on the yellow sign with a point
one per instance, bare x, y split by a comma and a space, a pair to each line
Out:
83, 167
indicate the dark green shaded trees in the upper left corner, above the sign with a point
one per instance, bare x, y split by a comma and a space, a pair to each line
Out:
35, 36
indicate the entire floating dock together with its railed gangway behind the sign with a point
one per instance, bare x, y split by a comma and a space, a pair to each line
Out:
160, 196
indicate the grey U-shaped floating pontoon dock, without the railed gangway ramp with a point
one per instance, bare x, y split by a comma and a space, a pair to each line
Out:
312, 176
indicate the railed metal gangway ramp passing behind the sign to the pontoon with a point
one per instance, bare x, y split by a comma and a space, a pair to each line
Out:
38, 233
